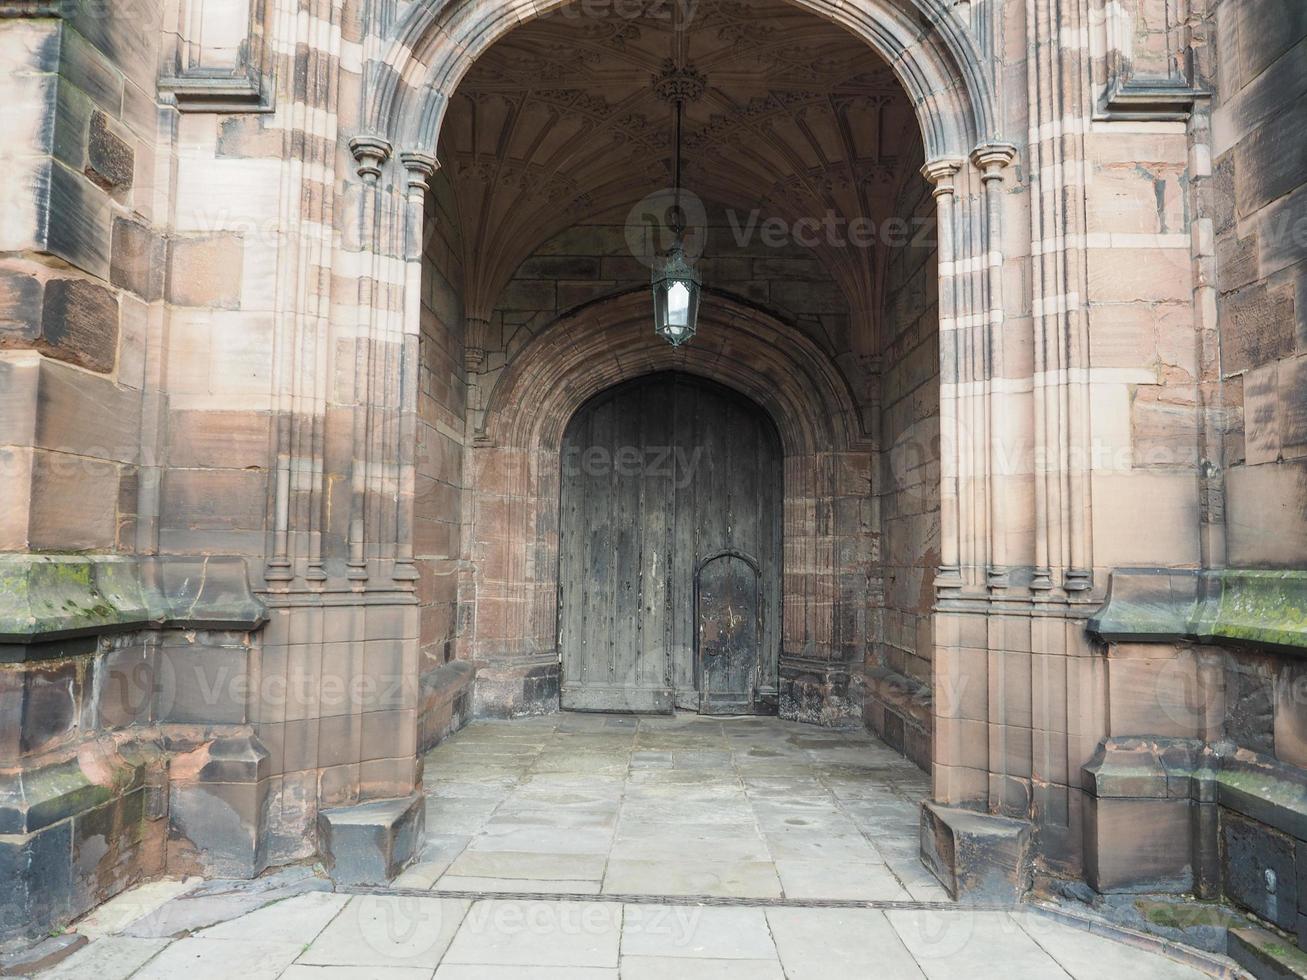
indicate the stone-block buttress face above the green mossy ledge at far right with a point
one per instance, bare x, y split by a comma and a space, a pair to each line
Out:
1259, 146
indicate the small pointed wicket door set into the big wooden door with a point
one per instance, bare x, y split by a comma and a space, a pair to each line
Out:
729, 602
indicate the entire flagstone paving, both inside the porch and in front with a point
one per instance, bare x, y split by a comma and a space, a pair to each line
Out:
682, 847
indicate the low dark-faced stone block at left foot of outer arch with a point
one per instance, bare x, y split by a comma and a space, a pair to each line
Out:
371, 843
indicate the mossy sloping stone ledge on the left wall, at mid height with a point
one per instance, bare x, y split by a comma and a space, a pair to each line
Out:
48, 600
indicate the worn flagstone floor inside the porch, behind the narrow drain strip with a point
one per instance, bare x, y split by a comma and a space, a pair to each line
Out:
684, 806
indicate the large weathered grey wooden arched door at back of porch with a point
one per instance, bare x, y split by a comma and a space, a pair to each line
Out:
671, 510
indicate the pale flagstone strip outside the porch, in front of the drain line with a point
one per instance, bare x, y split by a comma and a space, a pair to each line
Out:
326, 936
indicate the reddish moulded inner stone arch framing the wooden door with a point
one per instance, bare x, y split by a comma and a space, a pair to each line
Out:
516, 483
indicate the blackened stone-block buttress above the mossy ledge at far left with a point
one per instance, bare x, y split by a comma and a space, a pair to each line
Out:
83, 275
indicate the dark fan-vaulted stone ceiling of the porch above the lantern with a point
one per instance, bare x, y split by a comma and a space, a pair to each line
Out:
560, 123
